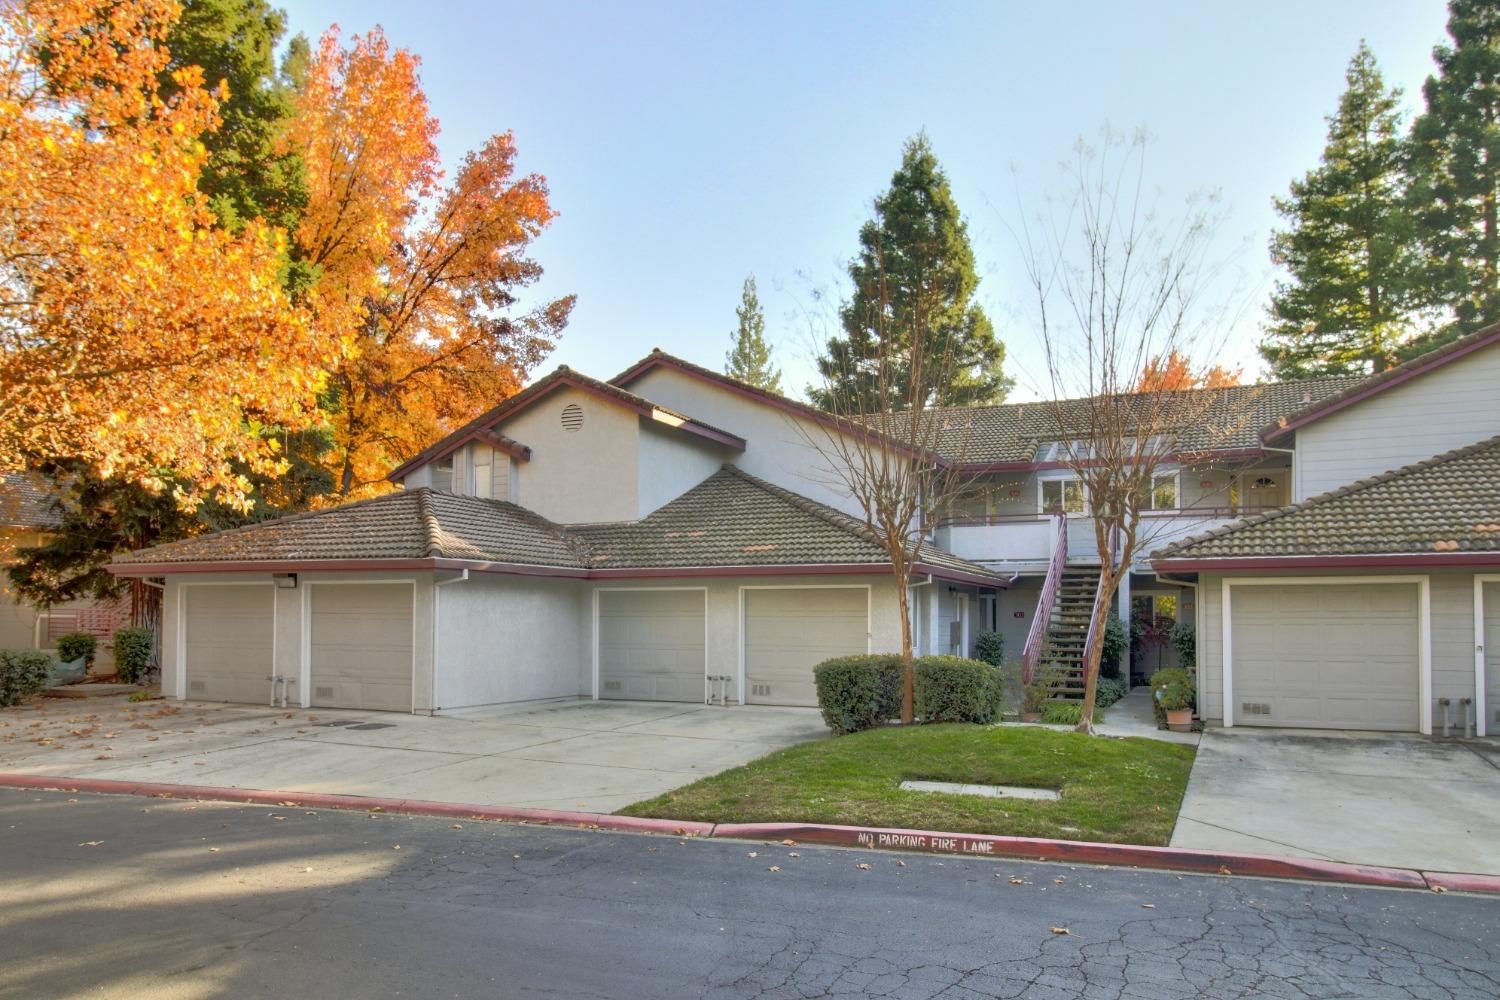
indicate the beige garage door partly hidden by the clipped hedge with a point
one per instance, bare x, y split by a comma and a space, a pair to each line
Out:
788, 632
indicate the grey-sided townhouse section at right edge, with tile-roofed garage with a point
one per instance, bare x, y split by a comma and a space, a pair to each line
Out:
1372, 602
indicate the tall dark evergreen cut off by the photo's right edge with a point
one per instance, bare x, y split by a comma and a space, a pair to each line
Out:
1457, 167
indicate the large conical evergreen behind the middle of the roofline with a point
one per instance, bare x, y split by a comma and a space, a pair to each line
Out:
914, 272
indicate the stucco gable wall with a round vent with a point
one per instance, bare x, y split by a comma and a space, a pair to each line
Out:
584, 476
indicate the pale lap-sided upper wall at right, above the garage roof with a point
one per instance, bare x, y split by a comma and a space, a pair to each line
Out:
1447, 409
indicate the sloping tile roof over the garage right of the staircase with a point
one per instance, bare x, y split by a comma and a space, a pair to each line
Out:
1450, 503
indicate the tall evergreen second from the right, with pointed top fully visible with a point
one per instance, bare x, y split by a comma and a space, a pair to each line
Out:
1351, 245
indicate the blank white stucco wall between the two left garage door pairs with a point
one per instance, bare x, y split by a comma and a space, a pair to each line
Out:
512, 639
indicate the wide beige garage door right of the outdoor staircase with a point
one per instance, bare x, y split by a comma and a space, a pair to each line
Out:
1327, 656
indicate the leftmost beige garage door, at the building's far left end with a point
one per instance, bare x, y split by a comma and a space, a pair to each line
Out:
229, 642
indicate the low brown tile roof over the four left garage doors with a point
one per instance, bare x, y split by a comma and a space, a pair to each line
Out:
730, 519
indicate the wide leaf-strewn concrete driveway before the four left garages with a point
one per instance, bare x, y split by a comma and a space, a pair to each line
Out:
595, 756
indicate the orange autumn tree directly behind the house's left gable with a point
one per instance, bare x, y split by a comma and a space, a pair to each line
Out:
427, 278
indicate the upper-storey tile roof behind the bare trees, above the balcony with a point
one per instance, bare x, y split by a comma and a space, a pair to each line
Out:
1232, 419
